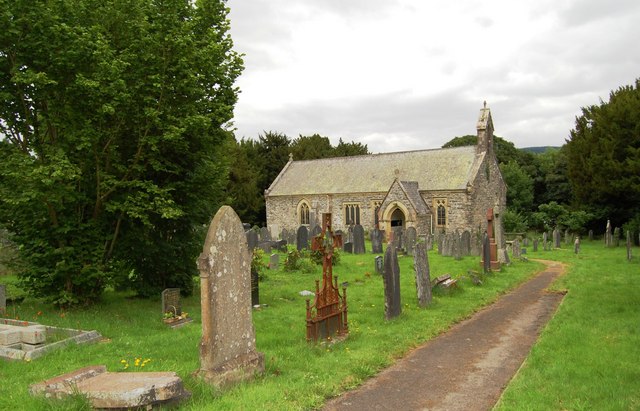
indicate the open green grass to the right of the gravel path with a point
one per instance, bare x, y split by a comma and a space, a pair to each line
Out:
587, 356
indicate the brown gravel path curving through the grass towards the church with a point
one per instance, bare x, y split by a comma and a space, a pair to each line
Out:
467, 367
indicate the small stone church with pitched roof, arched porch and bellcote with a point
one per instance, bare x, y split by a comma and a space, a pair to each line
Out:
437, 190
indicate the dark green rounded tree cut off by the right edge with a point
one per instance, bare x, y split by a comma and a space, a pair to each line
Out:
603, 156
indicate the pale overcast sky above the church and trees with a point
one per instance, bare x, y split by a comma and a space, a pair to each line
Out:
412, 74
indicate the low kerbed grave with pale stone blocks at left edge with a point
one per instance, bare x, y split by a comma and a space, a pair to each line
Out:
24, 340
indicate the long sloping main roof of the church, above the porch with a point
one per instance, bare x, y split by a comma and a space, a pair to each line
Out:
436, 169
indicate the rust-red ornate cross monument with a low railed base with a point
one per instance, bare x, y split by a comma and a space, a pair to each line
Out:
327, 316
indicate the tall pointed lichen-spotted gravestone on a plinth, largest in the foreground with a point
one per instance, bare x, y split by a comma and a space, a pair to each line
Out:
228, 345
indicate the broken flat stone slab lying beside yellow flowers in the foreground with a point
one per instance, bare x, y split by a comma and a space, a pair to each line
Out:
115, 389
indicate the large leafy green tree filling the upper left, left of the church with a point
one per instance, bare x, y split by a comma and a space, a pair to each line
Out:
113, 116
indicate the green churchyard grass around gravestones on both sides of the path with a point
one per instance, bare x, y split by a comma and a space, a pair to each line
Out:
302, 376
